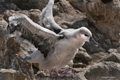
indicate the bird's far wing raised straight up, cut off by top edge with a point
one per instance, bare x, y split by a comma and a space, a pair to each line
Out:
46, 18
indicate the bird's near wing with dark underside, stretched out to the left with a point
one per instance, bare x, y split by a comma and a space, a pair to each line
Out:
44, 39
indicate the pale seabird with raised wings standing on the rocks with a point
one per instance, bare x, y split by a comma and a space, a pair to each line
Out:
55, 49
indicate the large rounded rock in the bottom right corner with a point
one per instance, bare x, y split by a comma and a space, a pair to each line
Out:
103, 71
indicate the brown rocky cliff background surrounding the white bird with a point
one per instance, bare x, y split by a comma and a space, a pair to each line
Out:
94, 63
